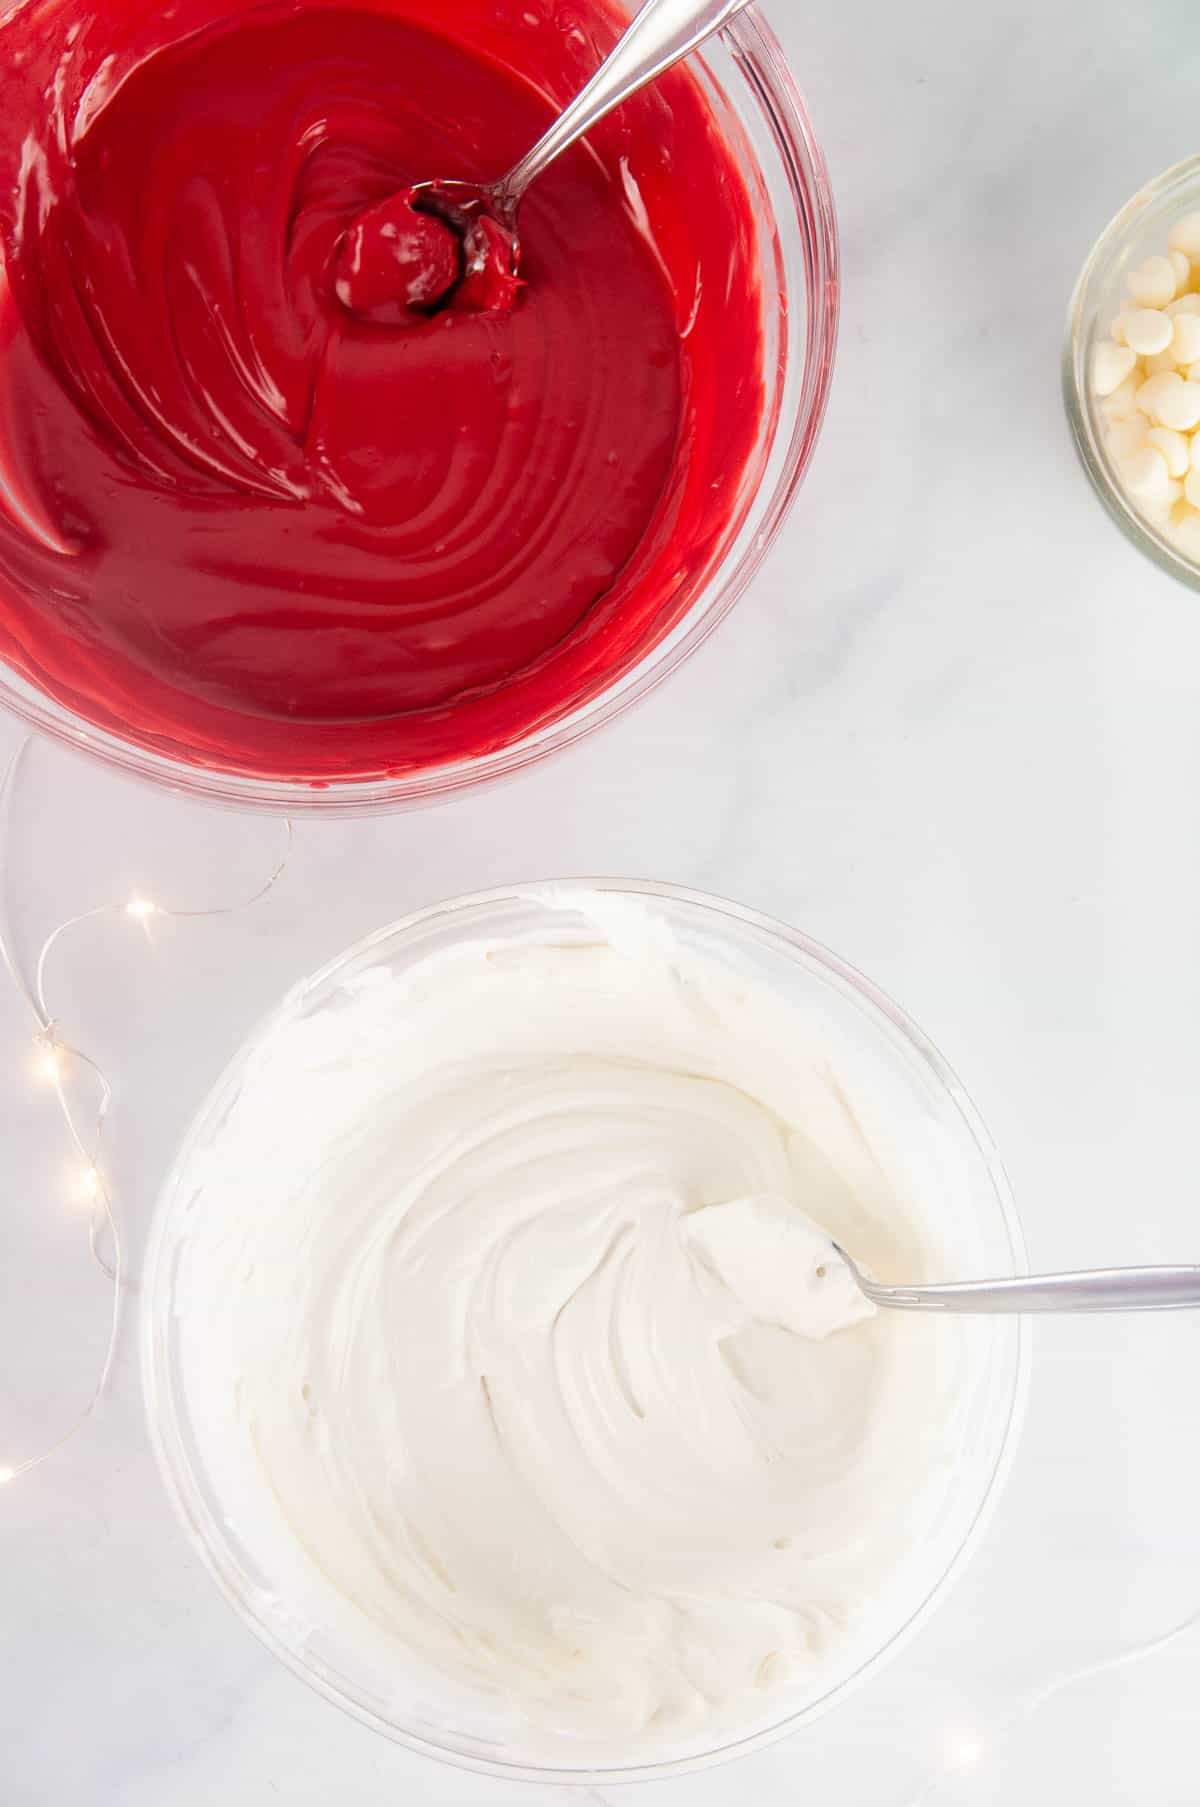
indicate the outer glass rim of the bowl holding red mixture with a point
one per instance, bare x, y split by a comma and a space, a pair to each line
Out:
769, 82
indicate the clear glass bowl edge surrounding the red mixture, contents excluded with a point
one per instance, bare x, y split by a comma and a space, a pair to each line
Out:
753, 93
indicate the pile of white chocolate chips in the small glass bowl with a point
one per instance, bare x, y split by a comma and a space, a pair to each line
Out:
1147, 377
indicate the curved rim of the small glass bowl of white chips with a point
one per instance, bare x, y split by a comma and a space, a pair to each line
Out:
1076, 389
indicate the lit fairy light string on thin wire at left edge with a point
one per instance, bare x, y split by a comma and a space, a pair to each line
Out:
59, 1062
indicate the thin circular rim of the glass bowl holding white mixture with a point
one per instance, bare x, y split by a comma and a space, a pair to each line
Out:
735, 921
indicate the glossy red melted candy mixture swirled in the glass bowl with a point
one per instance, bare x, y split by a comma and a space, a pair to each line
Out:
277, 532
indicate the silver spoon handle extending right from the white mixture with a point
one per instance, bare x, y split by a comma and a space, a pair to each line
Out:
1114, 1289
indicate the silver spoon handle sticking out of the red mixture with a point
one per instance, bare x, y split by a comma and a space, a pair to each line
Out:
661, 35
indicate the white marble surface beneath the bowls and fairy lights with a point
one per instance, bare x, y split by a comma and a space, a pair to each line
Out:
953, 733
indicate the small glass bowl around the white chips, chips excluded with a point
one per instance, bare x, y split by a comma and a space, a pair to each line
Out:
1130, 238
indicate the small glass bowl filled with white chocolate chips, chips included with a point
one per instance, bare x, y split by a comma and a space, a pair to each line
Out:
1132, 370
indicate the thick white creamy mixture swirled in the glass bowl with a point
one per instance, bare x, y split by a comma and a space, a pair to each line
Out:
512, 1306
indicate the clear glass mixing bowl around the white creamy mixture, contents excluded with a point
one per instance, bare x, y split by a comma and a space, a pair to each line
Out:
946, 1161
